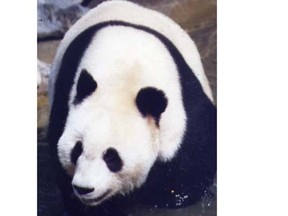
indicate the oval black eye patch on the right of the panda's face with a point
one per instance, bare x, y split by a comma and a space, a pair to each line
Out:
113, 160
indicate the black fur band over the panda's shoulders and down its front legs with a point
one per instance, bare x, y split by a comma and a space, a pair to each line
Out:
192, 169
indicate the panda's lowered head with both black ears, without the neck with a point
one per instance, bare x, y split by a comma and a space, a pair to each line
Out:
109, 143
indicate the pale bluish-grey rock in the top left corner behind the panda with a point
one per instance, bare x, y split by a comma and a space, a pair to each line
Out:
56, 17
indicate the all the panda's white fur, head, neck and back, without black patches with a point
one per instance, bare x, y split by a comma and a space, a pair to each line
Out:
123, 60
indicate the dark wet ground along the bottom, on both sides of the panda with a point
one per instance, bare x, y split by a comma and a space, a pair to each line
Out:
50, 204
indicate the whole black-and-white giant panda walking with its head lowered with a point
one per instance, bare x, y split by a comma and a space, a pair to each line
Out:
132, 116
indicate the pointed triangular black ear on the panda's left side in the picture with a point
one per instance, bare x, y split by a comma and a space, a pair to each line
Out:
86, 86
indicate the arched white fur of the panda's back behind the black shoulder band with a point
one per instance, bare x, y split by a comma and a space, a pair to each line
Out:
130, 12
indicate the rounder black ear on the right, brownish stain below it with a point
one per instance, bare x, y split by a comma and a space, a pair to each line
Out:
151, 101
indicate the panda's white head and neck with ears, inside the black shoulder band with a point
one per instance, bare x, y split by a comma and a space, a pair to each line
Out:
119, 105
